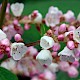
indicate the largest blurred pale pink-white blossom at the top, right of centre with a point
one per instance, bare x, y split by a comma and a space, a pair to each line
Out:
53, 16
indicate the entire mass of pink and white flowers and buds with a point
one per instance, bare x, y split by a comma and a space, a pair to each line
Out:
26, 60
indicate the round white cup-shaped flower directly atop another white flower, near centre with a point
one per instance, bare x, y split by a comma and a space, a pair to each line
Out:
46, 42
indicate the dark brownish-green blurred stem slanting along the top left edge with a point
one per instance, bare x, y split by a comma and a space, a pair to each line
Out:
2, 13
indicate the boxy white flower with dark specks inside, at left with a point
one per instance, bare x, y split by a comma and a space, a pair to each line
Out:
18, 50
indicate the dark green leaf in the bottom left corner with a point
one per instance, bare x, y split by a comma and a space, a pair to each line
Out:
7, 75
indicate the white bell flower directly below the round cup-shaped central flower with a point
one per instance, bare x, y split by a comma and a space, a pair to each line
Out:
44, 57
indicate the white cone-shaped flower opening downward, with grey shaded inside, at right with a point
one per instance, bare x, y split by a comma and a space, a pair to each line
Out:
67, 55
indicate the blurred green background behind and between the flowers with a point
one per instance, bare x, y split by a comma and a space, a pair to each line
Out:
43, 5
